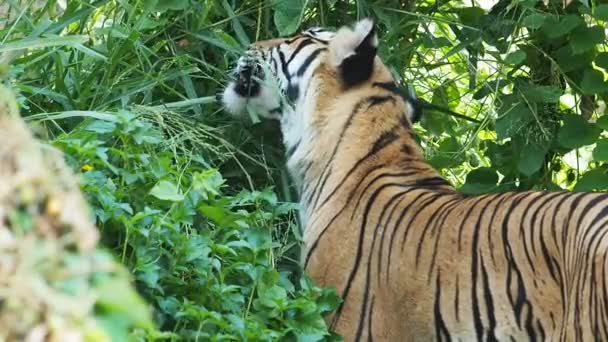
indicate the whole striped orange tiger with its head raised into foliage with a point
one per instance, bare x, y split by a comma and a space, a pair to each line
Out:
413, 258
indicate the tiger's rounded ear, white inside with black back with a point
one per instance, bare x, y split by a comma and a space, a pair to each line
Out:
352, 52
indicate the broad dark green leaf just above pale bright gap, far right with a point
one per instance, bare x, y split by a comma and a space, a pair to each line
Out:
576, 132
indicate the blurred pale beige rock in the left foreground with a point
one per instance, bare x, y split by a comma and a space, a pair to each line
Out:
55, 284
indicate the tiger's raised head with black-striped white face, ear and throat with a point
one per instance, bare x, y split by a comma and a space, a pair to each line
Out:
311, 81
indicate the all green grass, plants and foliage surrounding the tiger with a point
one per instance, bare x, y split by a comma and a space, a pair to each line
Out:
199, 207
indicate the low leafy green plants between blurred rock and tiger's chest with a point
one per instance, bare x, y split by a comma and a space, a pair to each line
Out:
208, 261
